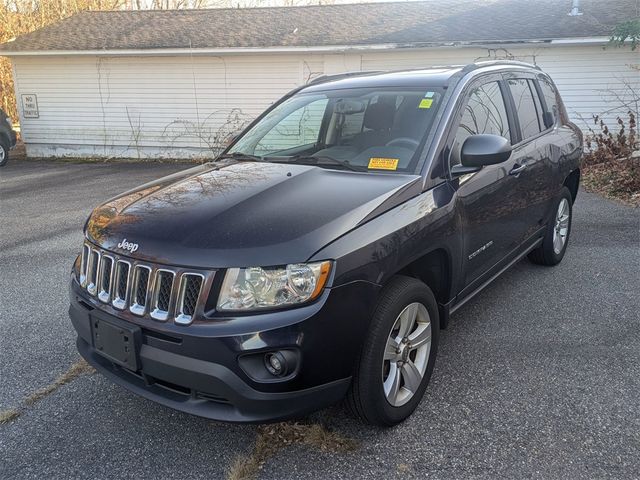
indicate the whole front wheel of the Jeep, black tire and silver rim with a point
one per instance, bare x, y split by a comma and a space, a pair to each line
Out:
398, 355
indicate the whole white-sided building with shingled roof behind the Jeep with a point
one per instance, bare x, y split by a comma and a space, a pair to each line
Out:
178, 83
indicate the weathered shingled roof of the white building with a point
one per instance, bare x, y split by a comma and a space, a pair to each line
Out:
433, 22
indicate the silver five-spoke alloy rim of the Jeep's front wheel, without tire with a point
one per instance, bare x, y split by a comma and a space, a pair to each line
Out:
406, 354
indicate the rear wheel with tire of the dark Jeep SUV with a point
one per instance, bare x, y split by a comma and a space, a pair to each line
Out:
556, 239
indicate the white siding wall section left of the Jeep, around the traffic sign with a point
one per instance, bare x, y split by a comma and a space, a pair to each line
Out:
150, 106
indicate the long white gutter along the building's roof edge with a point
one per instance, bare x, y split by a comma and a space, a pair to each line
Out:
301, 49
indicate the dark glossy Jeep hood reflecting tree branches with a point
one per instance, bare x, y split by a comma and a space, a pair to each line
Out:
244, 213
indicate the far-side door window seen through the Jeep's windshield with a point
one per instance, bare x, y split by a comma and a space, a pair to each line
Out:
300, 127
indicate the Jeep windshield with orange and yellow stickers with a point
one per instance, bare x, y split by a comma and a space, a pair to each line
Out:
368, 129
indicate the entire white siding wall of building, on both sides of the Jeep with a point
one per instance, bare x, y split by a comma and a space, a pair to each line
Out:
186, 106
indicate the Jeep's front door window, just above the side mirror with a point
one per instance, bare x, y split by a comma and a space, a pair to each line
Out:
485, 112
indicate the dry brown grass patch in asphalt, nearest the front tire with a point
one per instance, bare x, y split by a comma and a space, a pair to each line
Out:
273, 438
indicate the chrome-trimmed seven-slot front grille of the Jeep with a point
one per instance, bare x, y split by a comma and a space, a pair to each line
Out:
142, 288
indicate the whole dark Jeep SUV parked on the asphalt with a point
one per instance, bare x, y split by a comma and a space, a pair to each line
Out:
318, 257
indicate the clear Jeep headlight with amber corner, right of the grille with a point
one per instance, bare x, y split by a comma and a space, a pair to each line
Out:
259, 288
